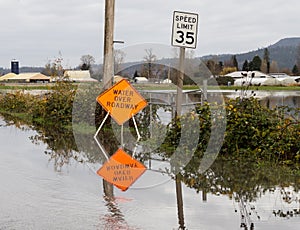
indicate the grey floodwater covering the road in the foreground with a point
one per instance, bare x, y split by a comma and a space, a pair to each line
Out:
36, 194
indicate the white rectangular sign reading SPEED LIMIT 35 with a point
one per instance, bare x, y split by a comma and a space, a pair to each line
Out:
185, 28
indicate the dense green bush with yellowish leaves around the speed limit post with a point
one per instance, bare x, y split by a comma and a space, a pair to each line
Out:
252, 131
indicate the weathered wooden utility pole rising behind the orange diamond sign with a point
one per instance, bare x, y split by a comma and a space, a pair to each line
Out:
108, 63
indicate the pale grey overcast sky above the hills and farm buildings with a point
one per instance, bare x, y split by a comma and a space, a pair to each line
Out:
36, 31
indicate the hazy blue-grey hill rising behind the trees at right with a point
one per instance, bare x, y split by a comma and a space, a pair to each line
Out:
283, 52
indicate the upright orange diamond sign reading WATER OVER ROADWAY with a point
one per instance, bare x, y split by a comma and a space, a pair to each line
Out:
122, 101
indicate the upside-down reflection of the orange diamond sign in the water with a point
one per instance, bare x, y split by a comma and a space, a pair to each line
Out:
121, 170
